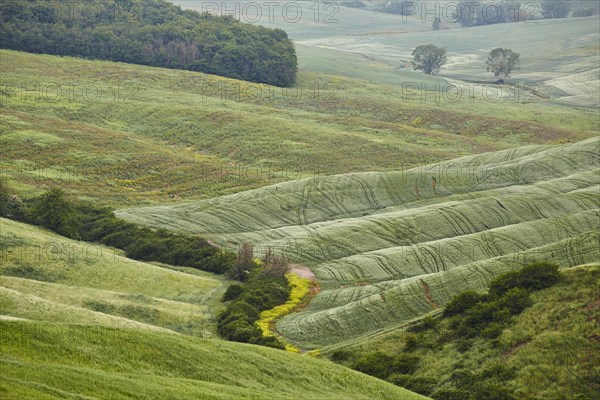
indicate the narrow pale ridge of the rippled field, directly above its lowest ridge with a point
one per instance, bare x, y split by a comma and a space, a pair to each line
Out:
414, 260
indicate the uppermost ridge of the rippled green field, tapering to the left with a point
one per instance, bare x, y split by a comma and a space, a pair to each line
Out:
477, 173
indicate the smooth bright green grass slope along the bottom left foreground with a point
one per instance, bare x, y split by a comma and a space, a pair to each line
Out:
55, 361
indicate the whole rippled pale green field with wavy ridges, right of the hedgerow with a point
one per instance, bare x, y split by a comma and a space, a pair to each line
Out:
391, 247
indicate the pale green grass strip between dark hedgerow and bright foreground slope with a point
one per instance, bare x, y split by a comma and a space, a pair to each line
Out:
46, 277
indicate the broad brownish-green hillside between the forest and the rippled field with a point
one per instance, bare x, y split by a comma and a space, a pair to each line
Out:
126, 134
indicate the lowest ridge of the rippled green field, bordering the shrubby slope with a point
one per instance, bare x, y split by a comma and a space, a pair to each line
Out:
351, 319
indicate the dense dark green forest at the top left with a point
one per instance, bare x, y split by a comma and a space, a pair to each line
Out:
150, 32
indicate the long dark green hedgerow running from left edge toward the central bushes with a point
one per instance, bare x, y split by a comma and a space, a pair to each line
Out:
83, 221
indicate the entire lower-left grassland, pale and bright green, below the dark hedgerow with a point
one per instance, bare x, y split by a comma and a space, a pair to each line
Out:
80, 321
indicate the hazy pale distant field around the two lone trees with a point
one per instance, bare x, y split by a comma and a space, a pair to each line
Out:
559, 57
